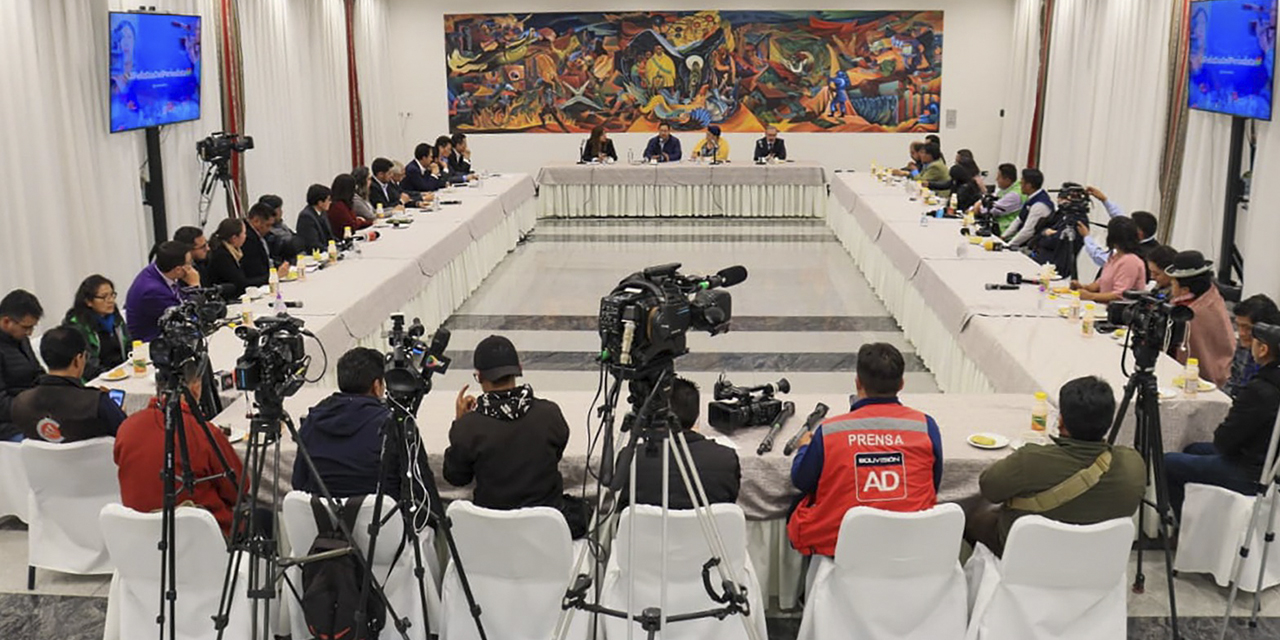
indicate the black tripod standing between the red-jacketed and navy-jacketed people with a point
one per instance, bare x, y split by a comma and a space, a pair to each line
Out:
267, 568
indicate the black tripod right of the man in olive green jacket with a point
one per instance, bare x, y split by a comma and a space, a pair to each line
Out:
1150, 445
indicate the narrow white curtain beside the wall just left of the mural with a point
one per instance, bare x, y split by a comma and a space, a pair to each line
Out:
374, 65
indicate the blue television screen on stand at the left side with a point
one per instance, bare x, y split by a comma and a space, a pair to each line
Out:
156, 70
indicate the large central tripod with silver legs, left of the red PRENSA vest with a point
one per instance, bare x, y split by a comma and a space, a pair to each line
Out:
653, 426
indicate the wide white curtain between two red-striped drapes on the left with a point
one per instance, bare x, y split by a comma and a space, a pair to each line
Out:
296, 102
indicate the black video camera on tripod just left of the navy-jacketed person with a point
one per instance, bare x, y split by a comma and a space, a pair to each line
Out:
276, 360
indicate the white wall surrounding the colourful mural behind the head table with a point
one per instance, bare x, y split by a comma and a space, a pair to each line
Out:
977, 39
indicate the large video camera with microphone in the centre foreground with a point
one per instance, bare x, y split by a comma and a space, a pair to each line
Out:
646, 321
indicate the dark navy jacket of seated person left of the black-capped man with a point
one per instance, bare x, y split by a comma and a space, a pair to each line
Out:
344, 435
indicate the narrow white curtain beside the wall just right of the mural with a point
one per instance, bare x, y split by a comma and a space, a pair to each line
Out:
1016, 131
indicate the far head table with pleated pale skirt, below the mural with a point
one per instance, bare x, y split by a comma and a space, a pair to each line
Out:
684, 189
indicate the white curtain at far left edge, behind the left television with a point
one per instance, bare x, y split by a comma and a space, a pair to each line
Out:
76, 207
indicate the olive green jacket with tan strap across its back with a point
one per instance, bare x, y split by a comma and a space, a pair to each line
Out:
1037, 468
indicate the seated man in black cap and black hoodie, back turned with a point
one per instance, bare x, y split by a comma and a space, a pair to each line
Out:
510, 442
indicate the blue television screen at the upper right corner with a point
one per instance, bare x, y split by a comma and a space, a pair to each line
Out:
1233, 57
